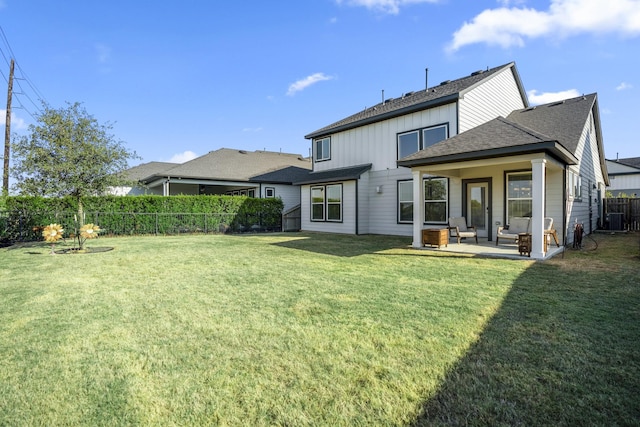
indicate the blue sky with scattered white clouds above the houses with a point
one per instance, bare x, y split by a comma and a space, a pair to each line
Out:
180, 79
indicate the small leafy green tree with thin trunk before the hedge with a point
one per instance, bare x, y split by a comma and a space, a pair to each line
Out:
68, 153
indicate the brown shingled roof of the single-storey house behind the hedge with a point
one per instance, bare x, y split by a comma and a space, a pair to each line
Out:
227, 164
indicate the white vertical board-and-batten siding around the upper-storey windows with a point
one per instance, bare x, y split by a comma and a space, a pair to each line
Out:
377, 143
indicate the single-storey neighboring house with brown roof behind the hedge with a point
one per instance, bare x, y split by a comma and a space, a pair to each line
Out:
225, 171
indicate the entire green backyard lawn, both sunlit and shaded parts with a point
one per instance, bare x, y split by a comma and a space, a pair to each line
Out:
314, 329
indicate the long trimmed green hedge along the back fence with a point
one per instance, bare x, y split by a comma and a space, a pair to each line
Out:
119, 215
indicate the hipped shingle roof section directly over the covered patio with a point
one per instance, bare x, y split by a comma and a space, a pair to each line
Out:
496, 138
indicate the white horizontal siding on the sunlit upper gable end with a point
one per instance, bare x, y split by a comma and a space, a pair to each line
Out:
497, 96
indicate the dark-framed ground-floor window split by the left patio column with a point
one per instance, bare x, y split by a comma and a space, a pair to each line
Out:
436, 200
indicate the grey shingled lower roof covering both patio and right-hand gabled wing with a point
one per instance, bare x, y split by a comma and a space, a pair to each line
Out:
555, 128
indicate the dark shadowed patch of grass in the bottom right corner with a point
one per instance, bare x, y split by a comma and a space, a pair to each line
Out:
562, 350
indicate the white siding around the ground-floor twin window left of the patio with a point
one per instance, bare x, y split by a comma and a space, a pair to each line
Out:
348, 223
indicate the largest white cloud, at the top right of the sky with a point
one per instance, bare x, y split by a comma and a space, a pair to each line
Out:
506, 27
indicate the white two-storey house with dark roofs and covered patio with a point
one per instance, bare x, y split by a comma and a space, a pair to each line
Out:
470, 147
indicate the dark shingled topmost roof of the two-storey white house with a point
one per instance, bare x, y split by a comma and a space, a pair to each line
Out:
447, 92
